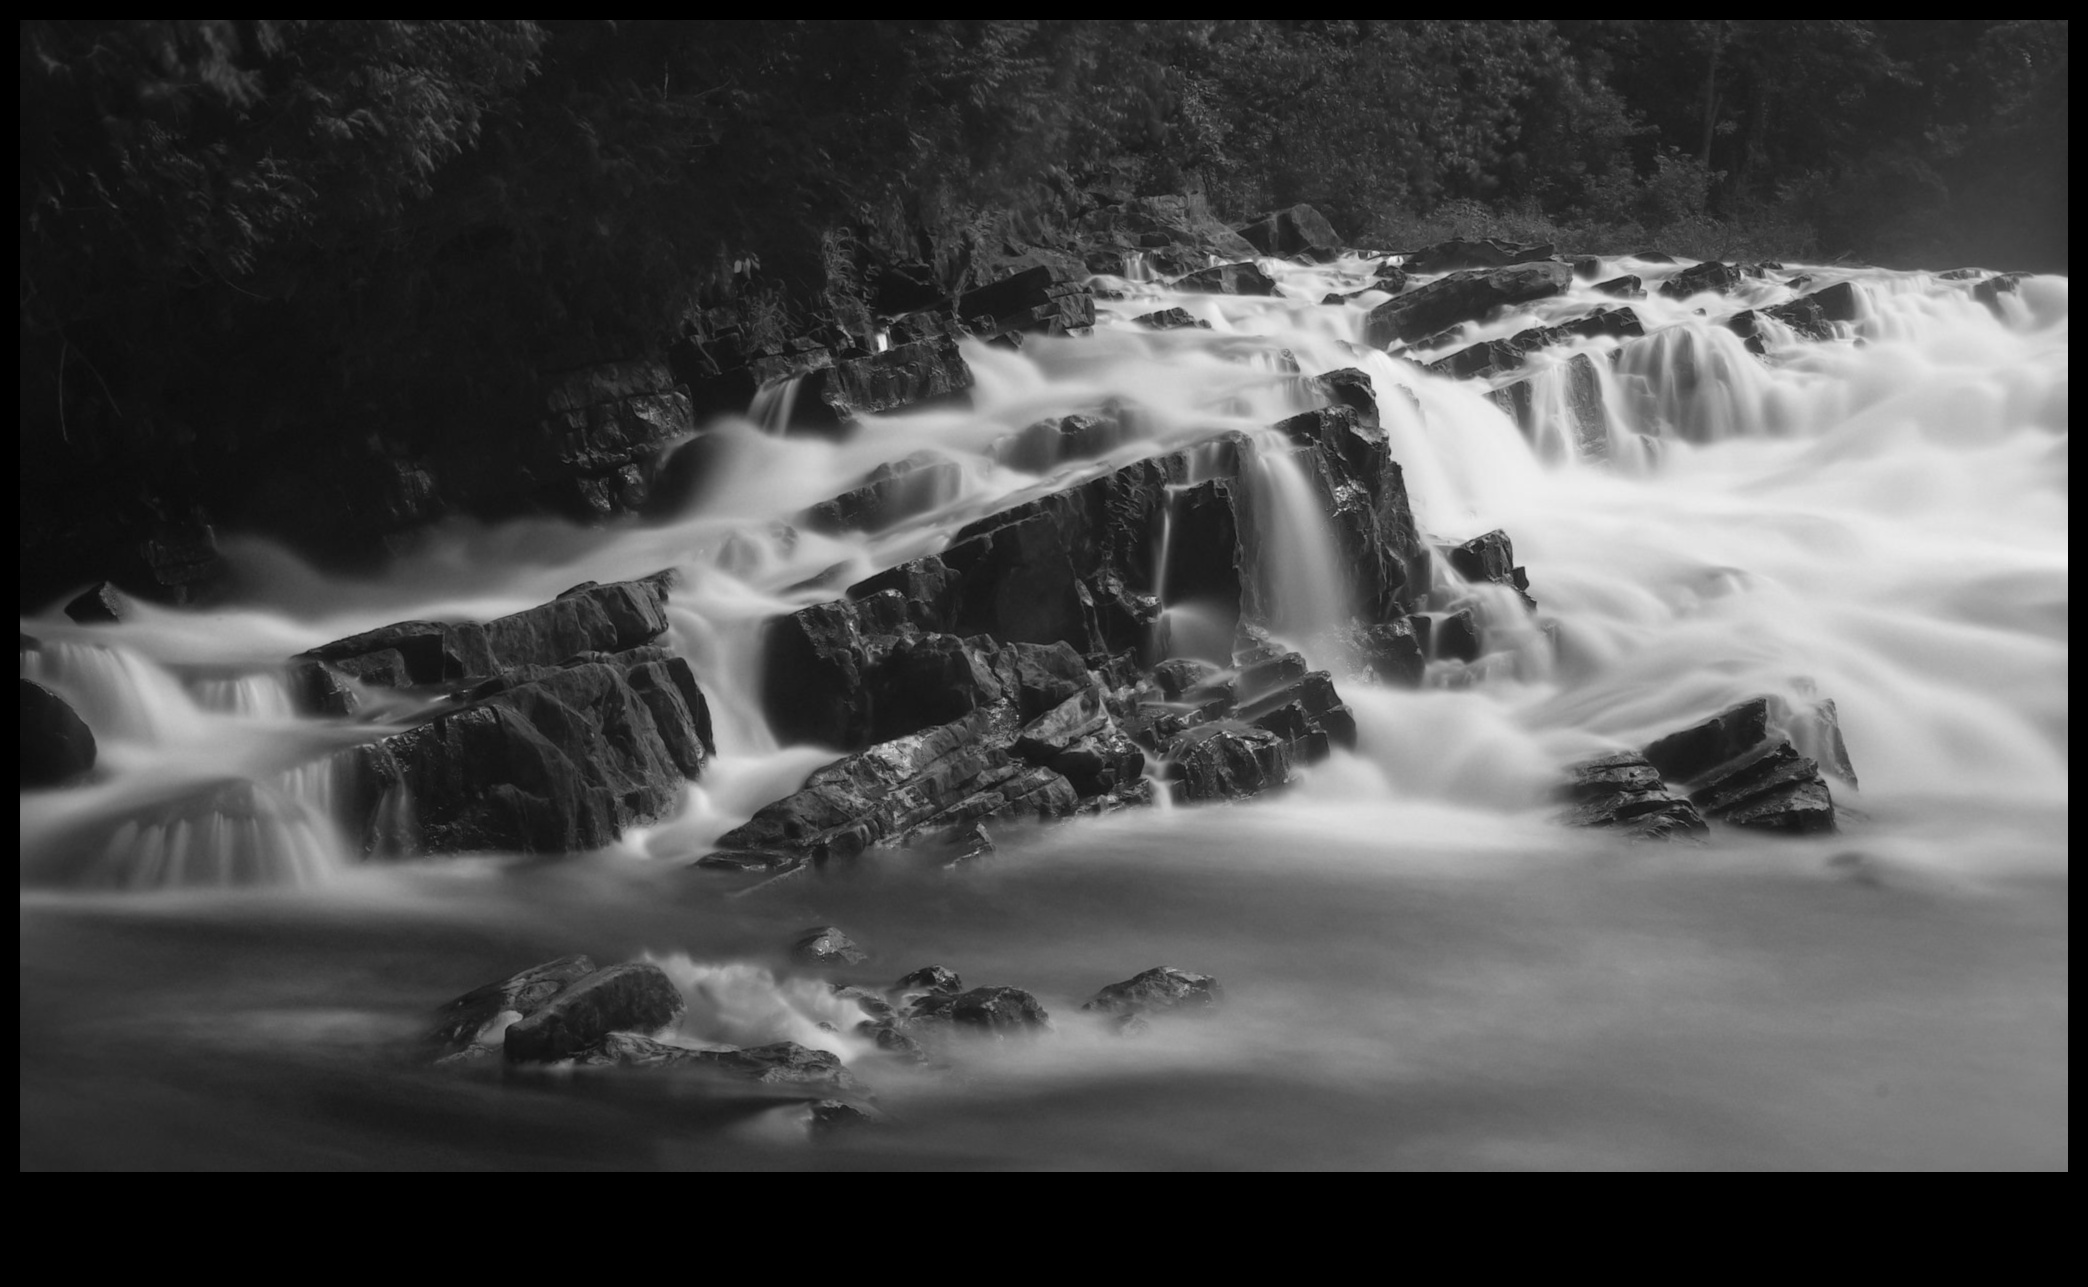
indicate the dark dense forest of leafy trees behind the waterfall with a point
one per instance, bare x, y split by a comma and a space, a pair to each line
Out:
308, 231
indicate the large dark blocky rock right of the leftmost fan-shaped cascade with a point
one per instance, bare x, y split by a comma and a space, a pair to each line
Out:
542, 759
